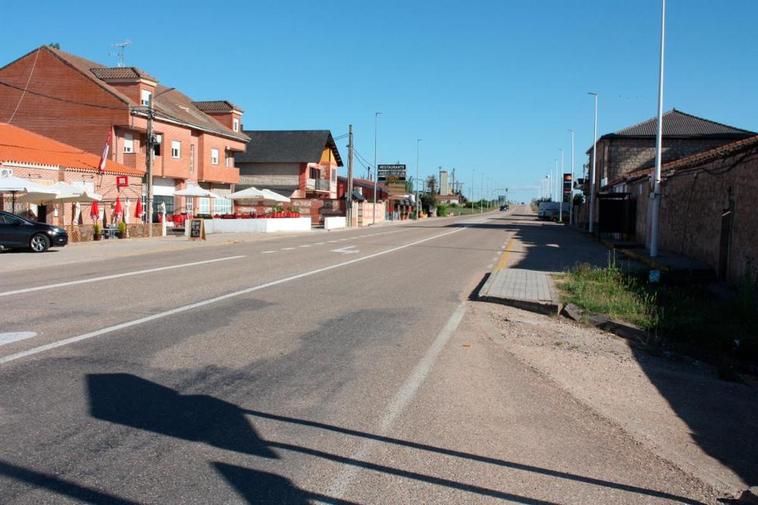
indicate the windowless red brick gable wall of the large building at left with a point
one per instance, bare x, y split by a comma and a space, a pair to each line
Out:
68, 120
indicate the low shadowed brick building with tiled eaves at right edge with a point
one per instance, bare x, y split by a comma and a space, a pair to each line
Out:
708, 208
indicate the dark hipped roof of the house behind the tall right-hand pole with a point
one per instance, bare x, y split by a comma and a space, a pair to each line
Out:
680, 124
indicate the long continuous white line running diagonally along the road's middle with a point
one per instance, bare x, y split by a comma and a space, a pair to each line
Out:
209, 301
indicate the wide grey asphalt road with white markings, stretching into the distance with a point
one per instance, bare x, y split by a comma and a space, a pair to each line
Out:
338, 368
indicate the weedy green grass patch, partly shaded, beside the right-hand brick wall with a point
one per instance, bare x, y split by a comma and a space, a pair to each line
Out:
687, 316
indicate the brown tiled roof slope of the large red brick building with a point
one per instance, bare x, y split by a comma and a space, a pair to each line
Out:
173, 104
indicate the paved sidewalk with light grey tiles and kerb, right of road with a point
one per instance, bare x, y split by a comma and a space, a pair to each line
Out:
535, 250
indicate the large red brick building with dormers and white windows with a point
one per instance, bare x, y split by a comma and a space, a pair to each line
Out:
82, 103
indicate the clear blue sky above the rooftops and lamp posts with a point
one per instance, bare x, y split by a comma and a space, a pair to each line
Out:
490, 86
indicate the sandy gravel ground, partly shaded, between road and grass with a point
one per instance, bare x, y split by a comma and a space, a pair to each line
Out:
674, 406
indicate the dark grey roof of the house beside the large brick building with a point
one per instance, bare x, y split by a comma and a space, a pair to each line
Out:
287, 146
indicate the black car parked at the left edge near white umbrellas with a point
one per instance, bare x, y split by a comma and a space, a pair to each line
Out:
19, 233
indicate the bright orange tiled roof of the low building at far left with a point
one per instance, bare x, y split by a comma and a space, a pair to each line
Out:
22, 146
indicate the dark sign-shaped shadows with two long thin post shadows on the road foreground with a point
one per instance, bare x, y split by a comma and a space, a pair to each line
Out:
129, 400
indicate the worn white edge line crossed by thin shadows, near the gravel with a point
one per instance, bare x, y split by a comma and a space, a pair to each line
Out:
399, 402
